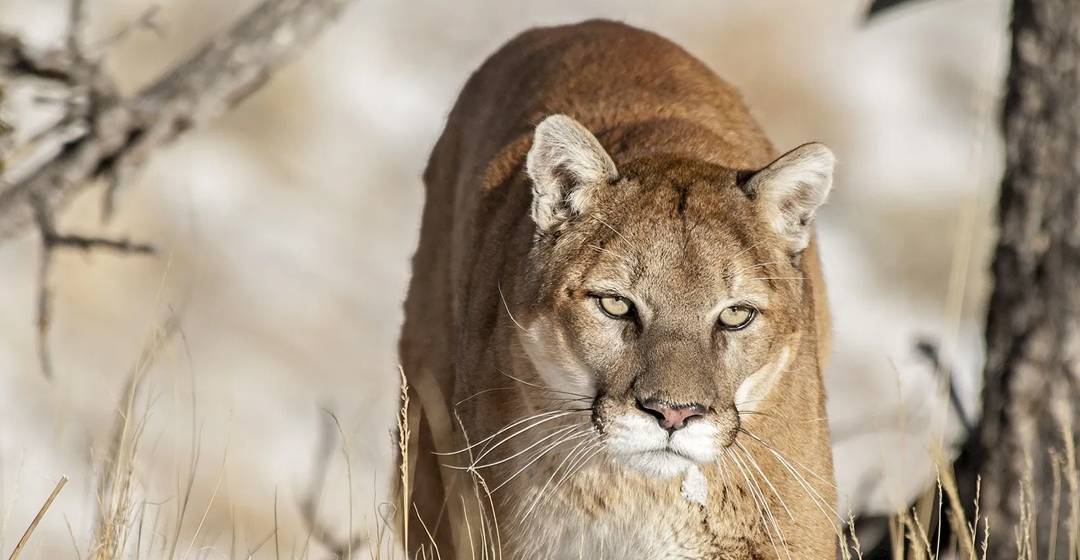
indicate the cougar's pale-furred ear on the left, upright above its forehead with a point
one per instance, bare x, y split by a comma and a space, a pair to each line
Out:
568, 166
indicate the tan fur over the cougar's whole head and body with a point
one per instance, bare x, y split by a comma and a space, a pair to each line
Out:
502, 322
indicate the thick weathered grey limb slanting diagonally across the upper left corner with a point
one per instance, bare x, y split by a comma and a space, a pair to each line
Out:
124, 132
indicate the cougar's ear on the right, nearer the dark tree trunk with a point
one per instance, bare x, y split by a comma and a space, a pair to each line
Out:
790, 190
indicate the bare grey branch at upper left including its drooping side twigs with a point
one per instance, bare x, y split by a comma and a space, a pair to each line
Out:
104, 135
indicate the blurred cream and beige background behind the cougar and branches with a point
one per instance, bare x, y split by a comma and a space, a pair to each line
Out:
286, 230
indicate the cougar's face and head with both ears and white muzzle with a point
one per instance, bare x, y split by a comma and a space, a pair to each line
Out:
670, 294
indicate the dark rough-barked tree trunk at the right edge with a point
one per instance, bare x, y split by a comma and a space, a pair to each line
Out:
1033, 334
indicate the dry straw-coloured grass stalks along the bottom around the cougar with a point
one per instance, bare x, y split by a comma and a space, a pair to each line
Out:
125, 530
